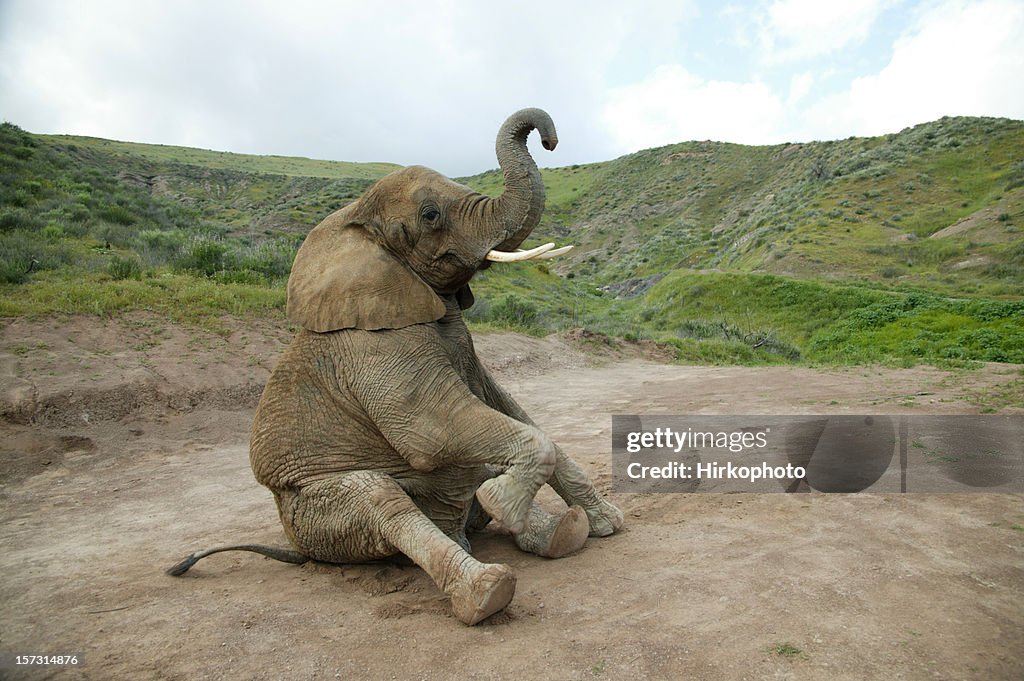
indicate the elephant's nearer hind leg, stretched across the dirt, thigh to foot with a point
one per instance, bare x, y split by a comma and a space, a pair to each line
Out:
367, 516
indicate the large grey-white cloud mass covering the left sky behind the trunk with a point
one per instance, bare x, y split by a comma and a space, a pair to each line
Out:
410, 82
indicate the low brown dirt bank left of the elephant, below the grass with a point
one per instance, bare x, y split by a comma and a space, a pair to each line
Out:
67, 372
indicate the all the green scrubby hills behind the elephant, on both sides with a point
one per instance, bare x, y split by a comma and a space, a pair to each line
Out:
903, 248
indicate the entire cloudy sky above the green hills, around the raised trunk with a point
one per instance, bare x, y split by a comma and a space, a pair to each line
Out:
430, 82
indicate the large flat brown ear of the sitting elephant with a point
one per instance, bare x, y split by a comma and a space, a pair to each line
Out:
343, 280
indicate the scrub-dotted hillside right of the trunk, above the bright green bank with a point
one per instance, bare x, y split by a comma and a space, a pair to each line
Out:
938, 206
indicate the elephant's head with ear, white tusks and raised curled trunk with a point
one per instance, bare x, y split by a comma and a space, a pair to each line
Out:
386, 261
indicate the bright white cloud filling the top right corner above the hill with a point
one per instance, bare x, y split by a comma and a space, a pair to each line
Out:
961, 60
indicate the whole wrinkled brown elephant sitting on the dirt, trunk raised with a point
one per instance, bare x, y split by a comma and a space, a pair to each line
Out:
379, 432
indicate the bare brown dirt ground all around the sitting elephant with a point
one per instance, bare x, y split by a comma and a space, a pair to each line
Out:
124, 448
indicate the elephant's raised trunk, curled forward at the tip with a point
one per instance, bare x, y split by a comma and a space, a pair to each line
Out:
519, 209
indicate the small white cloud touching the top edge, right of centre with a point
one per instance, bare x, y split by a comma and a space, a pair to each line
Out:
803, 29
